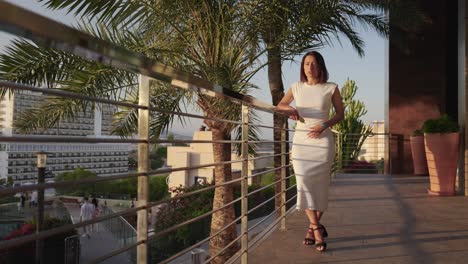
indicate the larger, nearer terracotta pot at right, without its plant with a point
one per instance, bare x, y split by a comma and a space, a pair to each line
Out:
442, 161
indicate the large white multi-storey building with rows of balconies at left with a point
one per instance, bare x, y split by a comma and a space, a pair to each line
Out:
18, 160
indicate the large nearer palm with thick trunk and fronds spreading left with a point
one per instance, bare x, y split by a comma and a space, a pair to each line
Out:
208, 42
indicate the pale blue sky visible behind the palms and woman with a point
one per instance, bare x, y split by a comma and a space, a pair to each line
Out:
341, 59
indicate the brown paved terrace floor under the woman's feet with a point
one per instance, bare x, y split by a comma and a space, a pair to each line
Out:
377, 219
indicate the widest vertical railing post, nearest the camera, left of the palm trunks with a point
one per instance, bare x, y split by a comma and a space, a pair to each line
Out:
143, 166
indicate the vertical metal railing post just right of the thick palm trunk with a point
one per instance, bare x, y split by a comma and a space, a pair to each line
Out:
244, 184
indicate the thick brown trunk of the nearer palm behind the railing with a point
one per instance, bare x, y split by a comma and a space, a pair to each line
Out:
222, 196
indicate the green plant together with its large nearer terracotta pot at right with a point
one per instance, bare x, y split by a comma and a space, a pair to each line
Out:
441, 139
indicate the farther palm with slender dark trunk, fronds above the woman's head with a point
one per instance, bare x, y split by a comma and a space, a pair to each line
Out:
287, 28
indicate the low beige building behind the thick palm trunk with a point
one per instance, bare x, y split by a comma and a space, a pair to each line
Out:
202, 153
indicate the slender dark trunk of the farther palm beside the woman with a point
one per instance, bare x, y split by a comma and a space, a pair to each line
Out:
277, 92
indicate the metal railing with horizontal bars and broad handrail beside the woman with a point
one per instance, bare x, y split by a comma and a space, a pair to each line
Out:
55, 35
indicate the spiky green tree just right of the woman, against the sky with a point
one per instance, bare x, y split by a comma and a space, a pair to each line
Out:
353, 131
